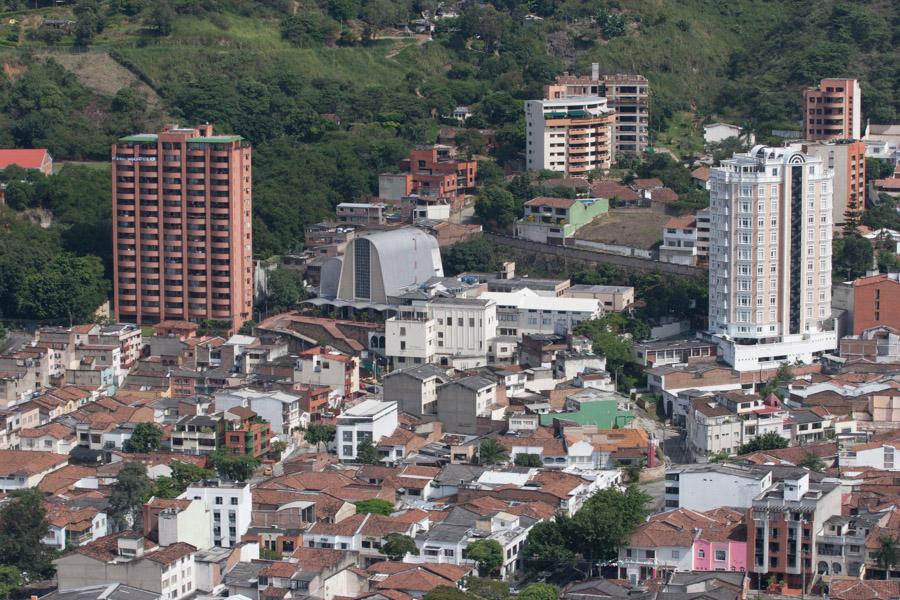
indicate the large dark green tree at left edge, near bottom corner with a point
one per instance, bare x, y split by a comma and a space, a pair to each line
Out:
23, 524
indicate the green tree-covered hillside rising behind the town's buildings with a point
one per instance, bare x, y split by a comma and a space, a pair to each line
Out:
332, 92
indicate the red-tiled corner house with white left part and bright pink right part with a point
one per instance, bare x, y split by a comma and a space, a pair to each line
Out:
685, 540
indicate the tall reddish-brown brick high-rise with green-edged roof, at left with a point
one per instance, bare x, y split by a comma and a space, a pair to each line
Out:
183, 247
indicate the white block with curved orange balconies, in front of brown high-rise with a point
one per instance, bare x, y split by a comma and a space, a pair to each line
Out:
571, 135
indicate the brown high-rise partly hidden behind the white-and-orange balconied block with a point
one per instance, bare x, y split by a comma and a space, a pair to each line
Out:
627, 94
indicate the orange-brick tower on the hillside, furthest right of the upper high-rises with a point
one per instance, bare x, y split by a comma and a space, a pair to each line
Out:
833, 110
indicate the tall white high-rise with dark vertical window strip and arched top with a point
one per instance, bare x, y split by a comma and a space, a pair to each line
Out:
770, 257
